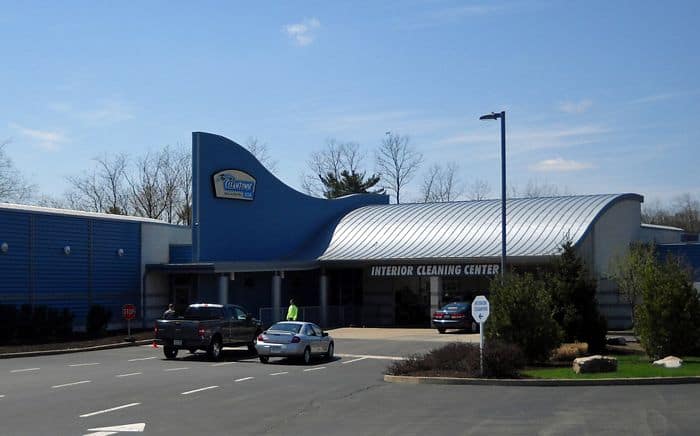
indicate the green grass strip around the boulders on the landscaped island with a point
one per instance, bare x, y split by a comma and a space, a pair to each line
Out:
628, 366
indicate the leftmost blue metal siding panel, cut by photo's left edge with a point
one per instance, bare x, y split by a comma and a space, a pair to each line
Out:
14, 265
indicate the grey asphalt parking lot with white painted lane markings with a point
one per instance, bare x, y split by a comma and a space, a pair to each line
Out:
136, 389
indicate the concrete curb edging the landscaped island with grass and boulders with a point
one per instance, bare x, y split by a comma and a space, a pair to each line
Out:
541, 382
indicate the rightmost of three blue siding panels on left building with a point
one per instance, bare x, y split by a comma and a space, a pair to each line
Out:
116, 280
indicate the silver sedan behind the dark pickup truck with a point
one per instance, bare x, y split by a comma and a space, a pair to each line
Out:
294, 339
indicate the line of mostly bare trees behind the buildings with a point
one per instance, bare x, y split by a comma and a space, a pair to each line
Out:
158, 184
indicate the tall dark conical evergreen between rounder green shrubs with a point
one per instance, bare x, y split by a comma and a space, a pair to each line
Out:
574, 300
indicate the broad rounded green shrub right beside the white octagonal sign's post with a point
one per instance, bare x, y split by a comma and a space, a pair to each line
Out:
521, 313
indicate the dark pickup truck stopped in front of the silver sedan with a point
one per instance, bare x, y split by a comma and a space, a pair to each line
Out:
207, 327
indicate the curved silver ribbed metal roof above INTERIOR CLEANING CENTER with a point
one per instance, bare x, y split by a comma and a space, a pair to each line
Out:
471, 229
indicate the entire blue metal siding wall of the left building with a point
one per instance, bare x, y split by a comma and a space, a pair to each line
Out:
36, 270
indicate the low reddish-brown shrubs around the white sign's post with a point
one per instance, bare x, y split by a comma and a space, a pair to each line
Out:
460, 359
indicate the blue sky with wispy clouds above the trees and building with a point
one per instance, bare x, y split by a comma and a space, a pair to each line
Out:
600, 96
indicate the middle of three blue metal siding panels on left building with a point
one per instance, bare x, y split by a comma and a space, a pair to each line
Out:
62, 279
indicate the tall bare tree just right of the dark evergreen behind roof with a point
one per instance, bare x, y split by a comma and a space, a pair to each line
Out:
397, 162
